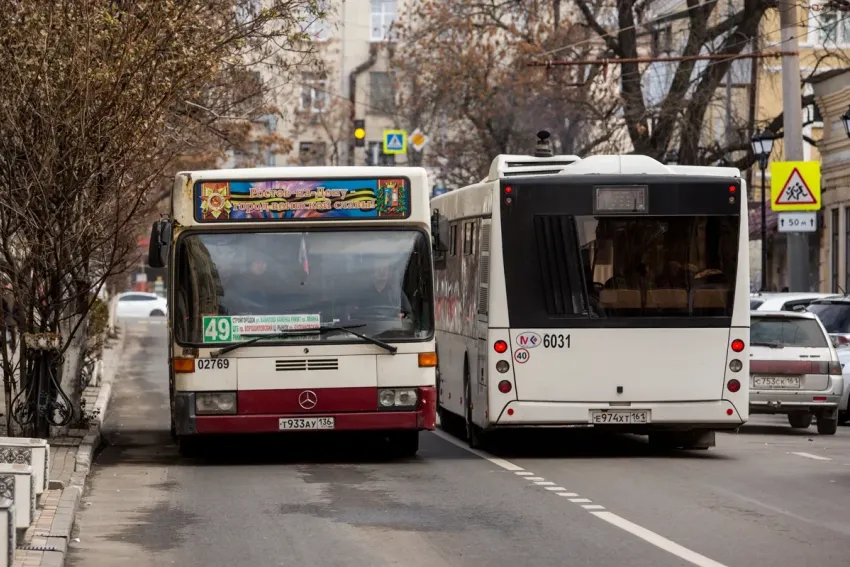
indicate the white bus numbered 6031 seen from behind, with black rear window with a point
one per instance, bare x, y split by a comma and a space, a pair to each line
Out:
594, 292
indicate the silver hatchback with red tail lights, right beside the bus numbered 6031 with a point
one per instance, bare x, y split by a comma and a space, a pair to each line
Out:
794, 369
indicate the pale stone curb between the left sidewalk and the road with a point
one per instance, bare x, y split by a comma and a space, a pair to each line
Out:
57, 537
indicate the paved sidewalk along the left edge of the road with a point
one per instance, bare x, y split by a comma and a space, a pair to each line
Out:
46, 541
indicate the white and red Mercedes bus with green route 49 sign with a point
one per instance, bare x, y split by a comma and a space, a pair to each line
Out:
300, 299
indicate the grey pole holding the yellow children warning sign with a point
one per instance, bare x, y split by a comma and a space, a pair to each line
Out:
798, 242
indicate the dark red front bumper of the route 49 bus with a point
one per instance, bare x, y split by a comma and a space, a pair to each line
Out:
188, 423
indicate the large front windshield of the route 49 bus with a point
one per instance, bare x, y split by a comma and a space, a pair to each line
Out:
377, 280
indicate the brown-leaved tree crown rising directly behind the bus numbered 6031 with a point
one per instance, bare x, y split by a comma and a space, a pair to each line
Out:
464, 66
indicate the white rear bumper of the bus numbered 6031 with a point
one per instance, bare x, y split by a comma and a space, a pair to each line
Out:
720, 414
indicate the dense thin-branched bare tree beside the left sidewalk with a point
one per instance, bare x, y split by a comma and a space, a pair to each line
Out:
98, 100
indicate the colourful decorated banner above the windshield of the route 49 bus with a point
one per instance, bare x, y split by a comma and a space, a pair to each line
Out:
303, 199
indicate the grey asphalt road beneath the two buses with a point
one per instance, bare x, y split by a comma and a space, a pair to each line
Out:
765, 496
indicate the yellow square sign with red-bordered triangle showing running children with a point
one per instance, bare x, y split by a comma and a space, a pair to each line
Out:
795, 186
